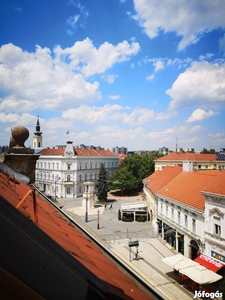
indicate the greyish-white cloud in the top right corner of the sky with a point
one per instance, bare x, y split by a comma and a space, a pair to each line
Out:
189, 19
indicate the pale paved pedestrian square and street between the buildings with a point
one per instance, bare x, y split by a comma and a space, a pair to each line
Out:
115, 236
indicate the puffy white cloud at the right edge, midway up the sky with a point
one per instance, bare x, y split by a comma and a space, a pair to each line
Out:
201, 85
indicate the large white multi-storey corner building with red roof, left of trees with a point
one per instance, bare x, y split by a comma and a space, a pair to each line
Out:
61, 172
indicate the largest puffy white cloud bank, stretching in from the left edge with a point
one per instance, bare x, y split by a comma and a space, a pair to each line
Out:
56, 79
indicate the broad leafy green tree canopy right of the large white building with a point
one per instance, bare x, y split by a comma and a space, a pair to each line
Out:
133, 169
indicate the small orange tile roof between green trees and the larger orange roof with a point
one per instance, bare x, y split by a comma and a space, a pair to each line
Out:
159, 179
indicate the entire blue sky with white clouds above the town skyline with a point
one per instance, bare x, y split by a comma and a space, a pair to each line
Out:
140, 74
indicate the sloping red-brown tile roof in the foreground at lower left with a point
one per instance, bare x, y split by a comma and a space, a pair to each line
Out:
56, 226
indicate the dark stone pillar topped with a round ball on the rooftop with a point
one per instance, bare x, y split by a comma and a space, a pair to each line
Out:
19, 158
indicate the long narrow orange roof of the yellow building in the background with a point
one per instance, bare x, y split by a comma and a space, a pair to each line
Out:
175, 156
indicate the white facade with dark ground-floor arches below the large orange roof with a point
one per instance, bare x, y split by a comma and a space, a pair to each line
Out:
181, 226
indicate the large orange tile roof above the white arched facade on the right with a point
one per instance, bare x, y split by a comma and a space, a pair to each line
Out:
187, 186
